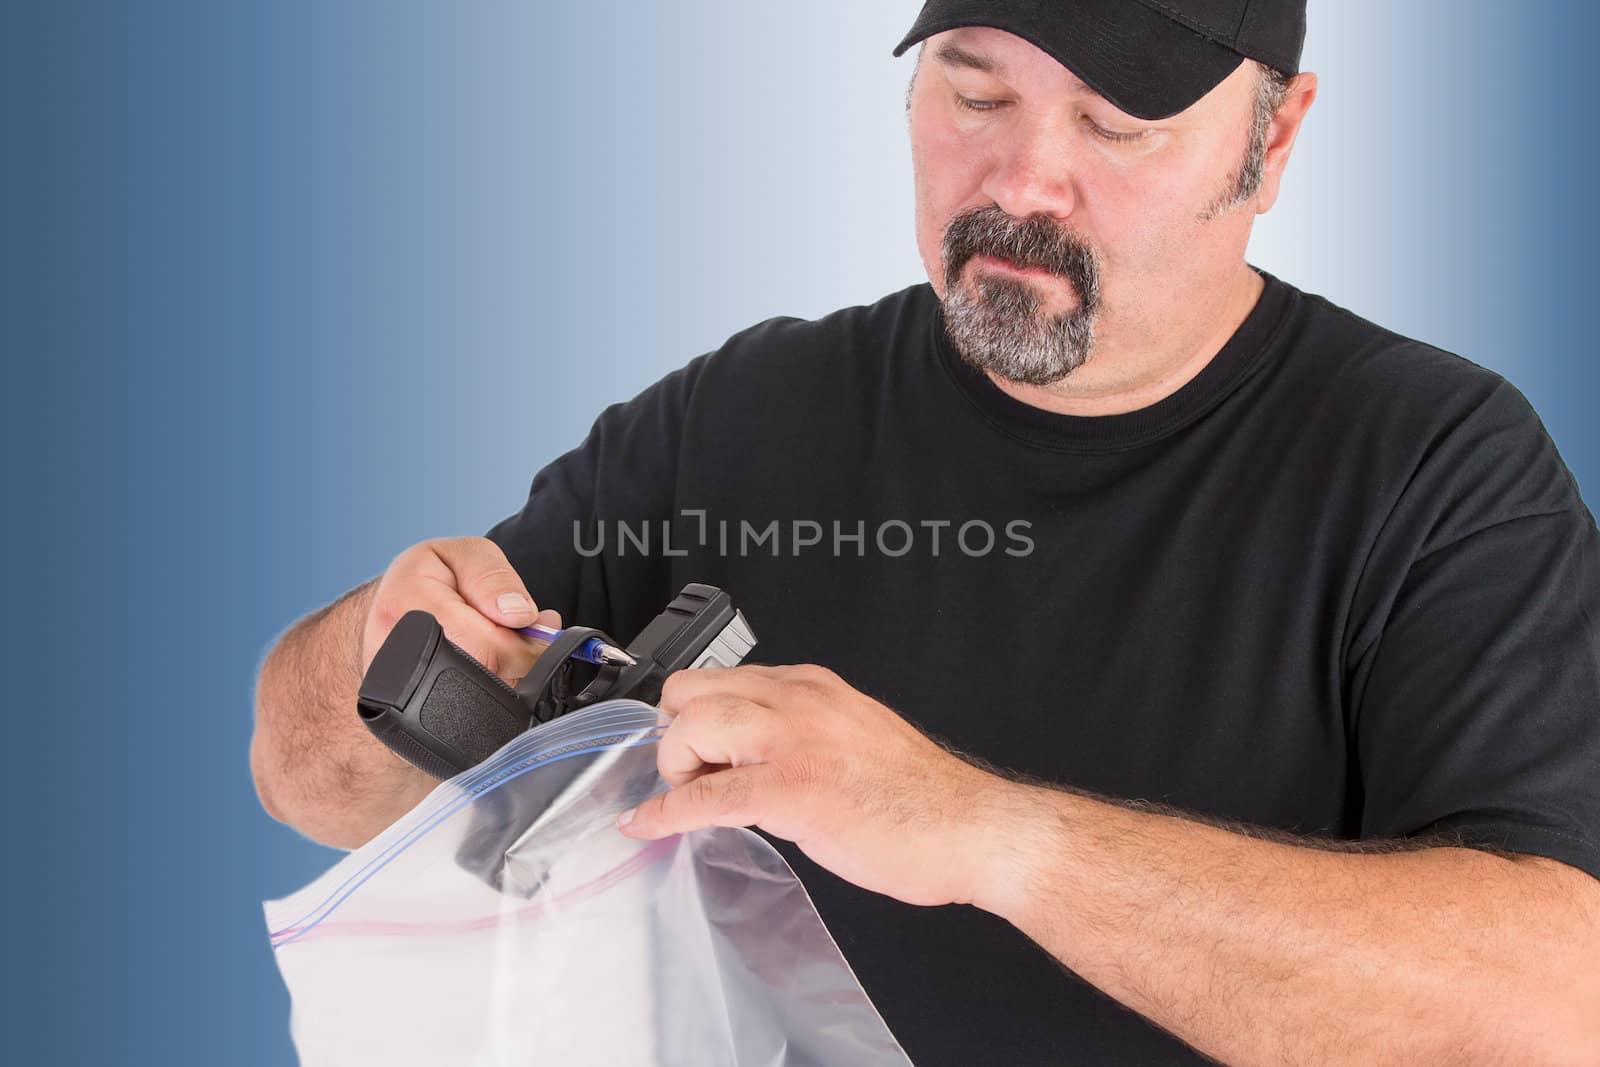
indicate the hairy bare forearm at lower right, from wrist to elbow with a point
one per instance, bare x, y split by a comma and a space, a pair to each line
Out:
1263, 953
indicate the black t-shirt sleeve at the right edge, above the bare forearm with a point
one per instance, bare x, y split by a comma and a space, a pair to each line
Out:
1476, 705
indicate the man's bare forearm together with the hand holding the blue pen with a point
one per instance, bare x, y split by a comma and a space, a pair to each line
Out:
316, 765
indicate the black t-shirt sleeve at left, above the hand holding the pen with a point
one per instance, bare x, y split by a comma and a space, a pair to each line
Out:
582, 540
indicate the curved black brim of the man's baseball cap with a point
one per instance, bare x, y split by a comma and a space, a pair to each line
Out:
1137, 58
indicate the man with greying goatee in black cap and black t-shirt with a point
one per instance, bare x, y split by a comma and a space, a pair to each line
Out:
1263, 642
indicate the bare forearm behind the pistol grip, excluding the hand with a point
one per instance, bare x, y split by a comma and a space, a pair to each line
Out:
316, 767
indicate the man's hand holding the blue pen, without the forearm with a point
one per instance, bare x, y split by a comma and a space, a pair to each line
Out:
474, 593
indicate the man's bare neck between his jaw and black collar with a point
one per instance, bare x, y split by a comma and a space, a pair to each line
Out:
1118, 385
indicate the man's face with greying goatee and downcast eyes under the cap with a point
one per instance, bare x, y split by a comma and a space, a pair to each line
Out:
1054, 225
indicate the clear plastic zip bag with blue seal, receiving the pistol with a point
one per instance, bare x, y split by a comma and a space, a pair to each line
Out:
506, 921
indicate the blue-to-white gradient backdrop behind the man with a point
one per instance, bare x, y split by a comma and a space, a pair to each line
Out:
294, 286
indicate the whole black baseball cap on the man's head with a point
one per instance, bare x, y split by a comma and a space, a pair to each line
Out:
1150, 58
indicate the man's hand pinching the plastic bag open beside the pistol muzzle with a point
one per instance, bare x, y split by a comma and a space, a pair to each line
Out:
806, 757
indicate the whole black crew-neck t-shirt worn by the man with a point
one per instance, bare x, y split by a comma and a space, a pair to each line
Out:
1340, 585
